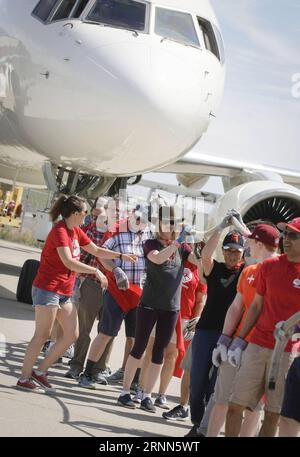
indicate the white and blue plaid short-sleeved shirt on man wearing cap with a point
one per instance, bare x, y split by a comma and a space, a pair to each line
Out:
131, 243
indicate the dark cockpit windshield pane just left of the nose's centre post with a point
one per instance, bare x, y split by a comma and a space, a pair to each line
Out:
127, 14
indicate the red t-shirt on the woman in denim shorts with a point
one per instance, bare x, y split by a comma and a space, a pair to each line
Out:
52, 274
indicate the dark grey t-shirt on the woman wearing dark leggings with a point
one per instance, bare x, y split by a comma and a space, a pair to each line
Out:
162, 289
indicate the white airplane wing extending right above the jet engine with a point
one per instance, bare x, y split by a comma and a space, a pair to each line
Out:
204, 164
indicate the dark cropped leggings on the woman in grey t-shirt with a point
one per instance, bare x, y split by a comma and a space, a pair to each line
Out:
165, 325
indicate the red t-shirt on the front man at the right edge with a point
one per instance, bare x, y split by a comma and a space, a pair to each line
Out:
279, 283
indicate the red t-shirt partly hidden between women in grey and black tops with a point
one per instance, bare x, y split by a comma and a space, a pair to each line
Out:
190, 287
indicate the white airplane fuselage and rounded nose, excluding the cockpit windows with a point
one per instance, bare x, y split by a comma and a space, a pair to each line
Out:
103, 99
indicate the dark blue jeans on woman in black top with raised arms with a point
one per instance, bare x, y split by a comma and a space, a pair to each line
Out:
202, 381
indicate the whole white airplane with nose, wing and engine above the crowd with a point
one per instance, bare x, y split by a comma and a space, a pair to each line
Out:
94, 90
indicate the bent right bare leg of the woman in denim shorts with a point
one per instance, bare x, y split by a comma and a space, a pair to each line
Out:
67, 318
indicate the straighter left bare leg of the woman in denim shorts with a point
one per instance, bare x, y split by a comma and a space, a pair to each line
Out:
44, 319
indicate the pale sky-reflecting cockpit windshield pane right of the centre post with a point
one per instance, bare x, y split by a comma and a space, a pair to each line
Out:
176, 25
